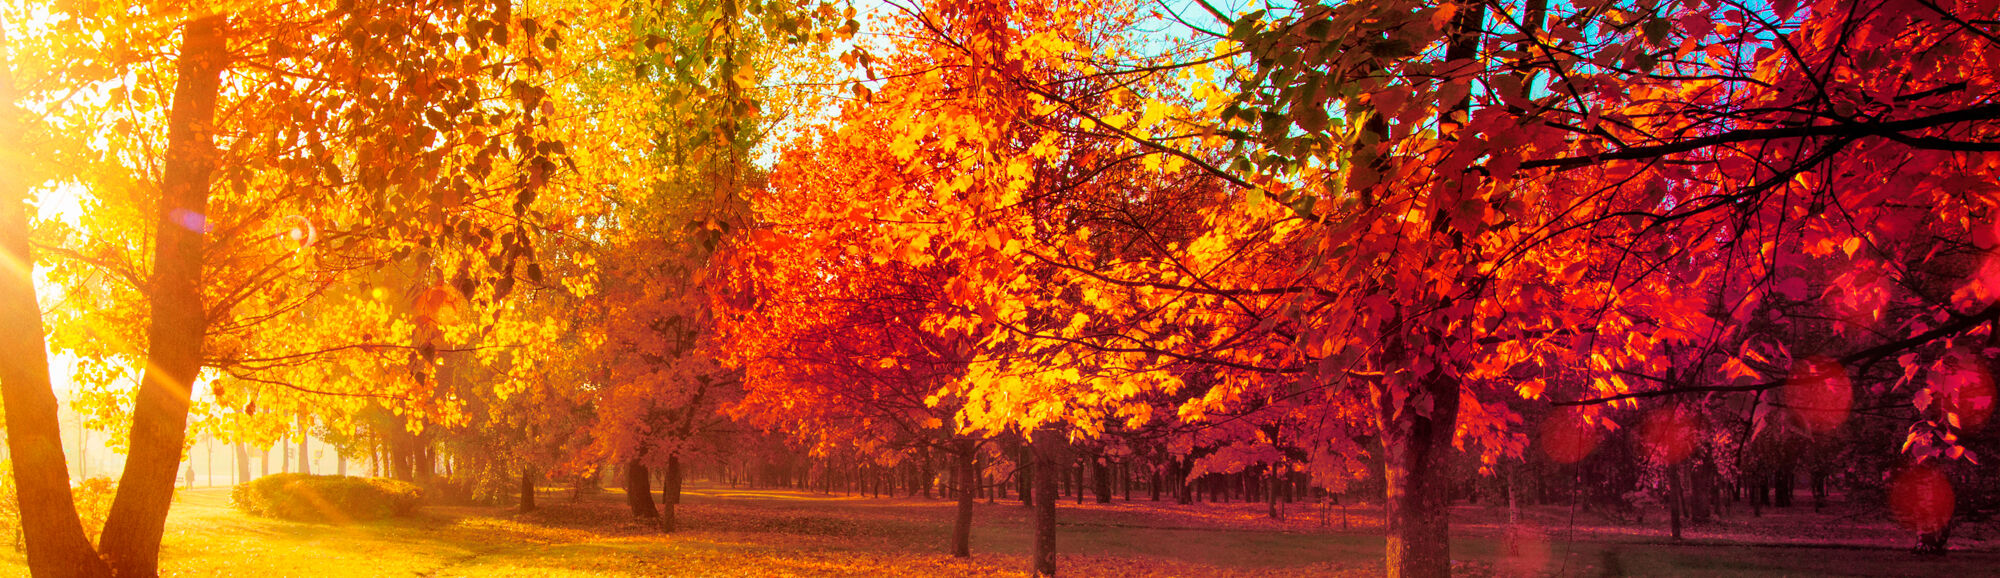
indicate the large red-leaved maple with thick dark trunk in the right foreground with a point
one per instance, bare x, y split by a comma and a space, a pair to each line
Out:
1445, 215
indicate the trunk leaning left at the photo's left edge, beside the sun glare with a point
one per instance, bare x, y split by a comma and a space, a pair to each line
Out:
49, 523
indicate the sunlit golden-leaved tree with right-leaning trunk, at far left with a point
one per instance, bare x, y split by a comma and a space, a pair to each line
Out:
193, 289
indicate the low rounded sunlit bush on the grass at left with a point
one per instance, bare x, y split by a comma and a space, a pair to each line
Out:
327, 499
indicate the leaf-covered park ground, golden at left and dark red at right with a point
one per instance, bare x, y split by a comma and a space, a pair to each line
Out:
781, 533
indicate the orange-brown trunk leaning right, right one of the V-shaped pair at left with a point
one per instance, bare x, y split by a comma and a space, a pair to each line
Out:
133, 529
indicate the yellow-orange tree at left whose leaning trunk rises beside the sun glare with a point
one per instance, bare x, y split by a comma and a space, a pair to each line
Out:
217, 271
